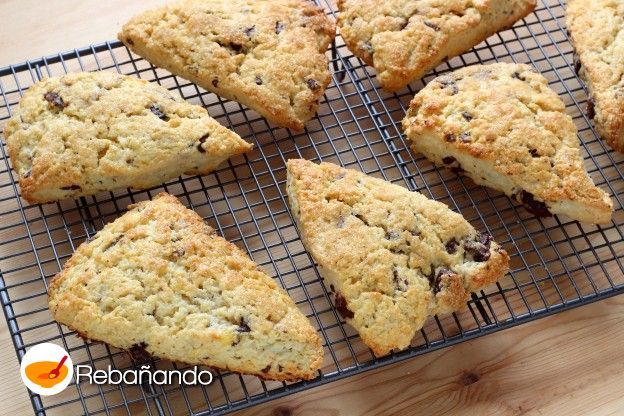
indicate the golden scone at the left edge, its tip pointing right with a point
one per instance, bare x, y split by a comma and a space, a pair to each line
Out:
89, 132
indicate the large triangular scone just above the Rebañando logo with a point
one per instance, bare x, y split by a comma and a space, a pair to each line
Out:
159, 279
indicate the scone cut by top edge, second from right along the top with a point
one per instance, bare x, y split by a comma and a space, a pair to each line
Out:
405, 39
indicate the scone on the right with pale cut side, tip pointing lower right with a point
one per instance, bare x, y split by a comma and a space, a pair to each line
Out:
505, 128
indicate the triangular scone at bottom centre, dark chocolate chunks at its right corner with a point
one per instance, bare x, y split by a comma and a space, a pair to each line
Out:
392, 257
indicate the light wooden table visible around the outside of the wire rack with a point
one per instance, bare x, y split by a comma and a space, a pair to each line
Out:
568, 364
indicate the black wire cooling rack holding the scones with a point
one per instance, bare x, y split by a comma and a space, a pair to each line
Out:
556, 264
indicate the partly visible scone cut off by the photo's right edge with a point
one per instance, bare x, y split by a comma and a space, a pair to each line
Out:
595, 28
